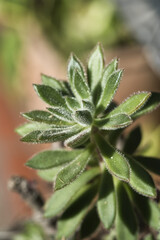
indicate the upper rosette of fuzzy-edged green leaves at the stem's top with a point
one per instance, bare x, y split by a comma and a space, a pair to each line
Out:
82, 103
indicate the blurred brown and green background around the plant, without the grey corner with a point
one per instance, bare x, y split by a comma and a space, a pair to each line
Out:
36, 37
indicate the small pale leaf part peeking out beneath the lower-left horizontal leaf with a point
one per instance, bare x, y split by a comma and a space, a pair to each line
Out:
49, 174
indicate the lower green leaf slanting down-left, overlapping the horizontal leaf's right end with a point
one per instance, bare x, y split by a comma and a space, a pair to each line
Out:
73, 170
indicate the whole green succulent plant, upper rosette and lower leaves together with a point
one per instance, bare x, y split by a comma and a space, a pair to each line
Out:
94, 181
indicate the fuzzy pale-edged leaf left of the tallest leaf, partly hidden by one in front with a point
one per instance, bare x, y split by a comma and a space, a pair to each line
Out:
74, 63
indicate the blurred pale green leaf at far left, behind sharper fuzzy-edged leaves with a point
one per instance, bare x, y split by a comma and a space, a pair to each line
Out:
30, 127
